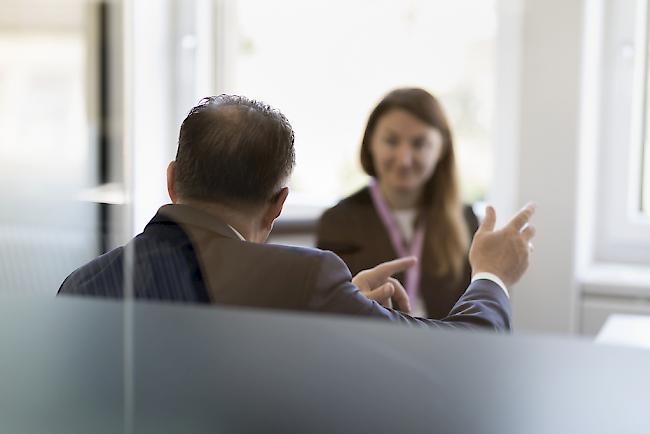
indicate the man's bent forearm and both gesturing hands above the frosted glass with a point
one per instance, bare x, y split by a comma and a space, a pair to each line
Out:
502, 254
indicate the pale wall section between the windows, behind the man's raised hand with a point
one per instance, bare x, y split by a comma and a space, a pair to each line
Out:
540, 153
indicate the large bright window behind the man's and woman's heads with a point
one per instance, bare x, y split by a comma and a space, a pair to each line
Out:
325, 65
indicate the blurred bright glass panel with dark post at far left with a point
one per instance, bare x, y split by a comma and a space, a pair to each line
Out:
54, 152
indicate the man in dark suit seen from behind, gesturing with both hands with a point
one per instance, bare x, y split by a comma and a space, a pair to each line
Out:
228, 186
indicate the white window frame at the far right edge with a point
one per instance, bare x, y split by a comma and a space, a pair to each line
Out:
621, 232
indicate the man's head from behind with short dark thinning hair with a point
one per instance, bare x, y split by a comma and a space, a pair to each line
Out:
233, 152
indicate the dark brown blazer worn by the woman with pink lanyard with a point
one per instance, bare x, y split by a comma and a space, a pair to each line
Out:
353, 230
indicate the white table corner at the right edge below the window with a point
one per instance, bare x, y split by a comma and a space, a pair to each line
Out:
630, 330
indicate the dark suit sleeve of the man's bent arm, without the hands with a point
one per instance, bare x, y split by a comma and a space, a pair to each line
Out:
483, 305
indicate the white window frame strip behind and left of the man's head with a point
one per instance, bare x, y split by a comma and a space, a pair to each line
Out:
158, 92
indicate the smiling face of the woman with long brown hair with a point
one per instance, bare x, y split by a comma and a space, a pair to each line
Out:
404, 150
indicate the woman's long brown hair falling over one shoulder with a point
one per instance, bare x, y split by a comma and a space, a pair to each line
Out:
440, 204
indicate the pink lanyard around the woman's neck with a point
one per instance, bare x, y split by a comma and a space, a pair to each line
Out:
399, 244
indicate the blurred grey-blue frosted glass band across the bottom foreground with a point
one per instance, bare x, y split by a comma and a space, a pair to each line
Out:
208, 369
